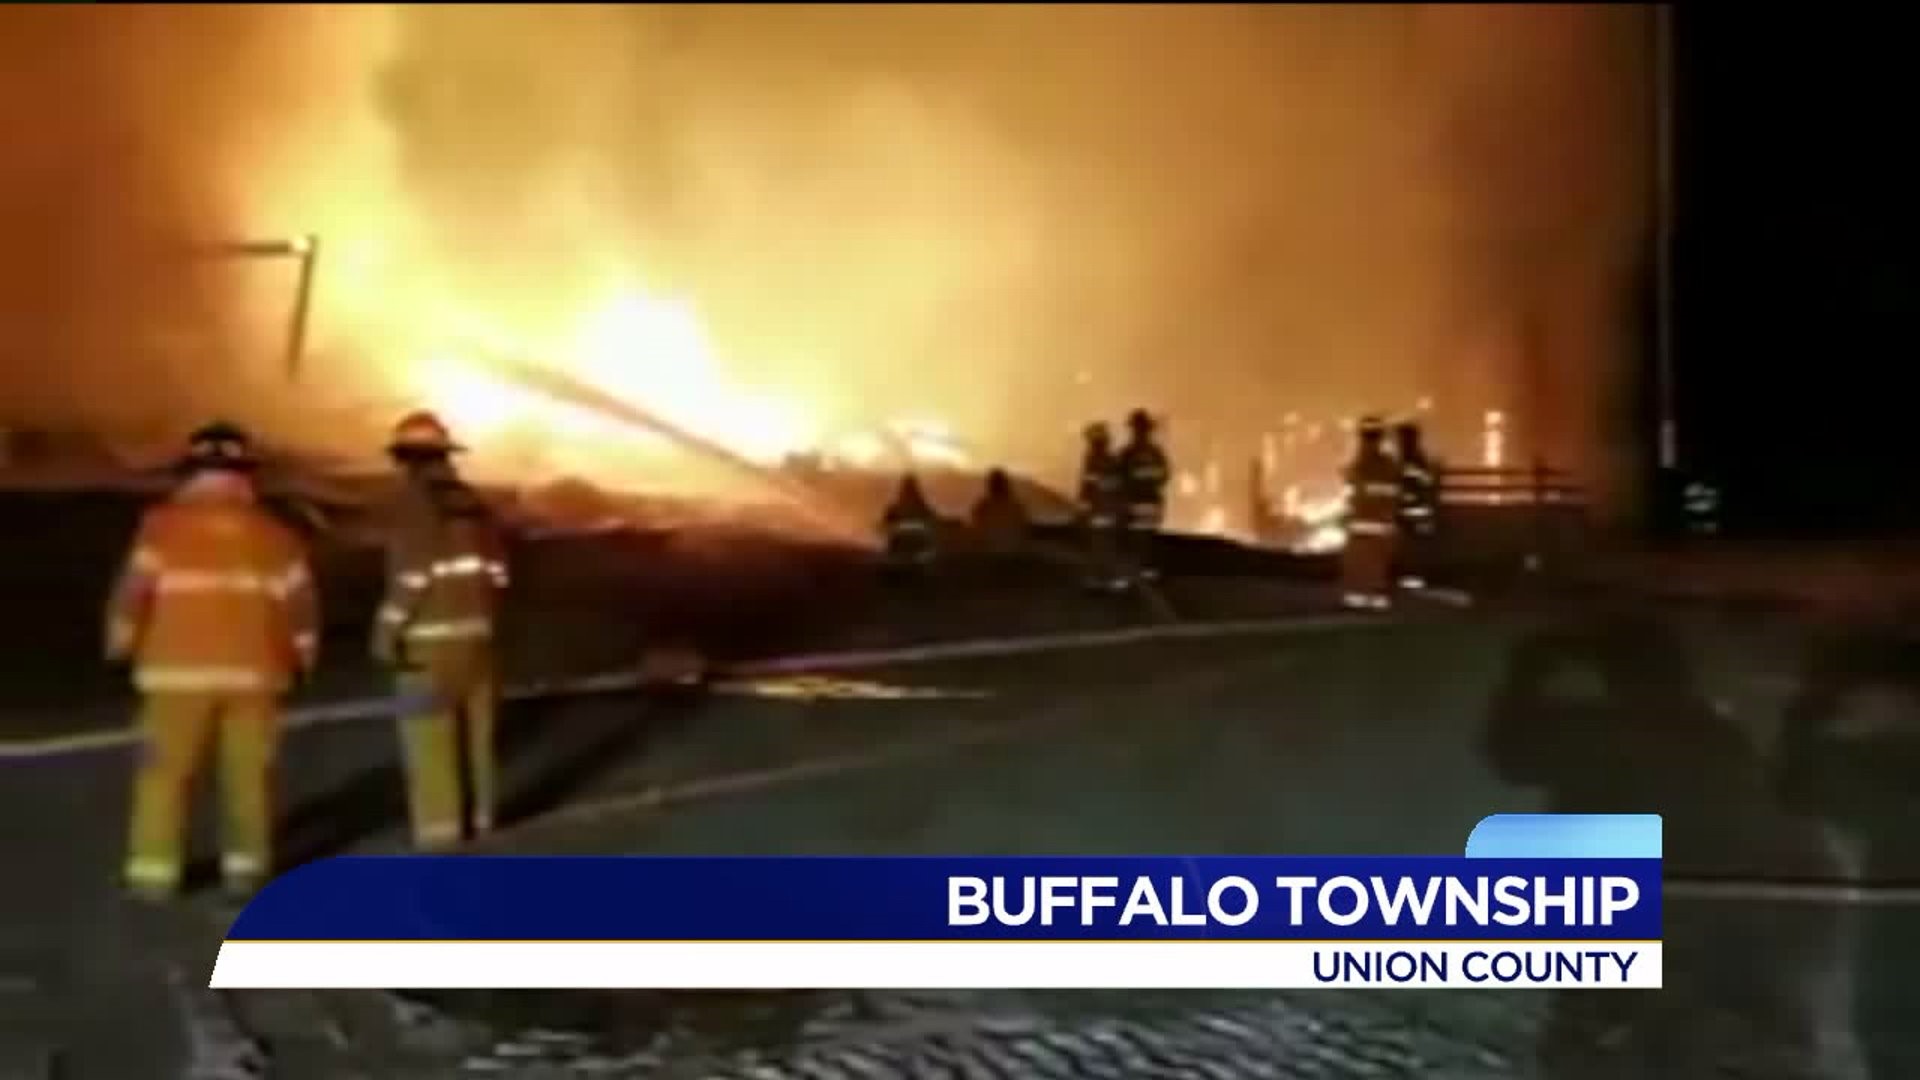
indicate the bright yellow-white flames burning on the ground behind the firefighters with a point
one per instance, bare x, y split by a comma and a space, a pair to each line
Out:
615, 383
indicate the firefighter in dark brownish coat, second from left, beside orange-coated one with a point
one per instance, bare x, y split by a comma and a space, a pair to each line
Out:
437, 627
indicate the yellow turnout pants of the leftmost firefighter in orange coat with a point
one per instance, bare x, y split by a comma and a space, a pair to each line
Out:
176, 733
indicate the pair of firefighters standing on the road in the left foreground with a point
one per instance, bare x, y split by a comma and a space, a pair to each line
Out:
216, 612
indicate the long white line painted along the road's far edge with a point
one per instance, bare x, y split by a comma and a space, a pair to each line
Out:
804, 664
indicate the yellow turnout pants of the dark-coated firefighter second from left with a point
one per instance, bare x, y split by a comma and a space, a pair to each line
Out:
448, 747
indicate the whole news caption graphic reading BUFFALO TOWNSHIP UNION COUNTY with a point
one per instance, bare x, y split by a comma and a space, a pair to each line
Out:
1537, 900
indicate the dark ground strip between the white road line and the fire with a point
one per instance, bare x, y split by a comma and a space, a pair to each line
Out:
581, 602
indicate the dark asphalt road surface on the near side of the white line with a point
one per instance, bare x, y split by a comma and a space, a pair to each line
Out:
1391, 739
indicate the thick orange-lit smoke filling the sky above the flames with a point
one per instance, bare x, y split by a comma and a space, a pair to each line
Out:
1009, 216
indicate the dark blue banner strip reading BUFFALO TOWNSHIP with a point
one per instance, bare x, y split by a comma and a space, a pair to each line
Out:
468, 898
